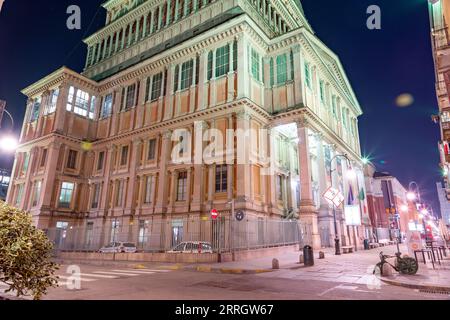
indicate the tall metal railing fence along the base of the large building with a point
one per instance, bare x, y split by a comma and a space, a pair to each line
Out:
223, 234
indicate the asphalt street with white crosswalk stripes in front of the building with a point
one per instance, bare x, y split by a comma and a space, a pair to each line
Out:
122, 283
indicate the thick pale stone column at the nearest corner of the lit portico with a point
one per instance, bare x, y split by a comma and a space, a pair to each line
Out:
307, 210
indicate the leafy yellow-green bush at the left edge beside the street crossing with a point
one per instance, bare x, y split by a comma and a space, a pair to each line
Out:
25, 255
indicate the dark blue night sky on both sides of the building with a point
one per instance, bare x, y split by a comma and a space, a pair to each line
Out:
380, 65
